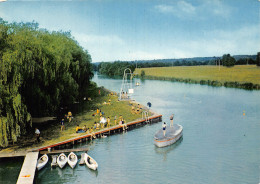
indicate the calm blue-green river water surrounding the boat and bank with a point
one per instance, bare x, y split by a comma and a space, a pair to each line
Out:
220, 144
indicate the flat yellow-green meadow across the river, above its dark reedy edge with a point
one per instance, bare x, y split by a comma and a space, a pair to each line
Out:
239, 73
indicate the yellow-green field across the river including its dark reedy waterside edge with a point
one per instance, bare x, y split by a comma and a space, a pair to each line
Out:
240, 76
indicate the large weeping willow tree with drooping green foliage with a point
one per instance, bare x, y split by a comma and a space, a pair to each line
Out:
39, 72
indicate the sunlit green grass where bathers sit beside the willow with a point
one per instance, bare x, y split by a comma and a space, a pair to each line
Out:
53, 134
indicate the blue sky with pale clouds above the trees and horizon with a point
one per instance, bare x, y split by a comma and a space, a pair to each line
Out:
130, 30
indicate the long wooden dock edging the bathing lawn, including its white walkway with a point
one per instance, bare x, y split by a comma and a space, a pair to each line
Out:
27, 172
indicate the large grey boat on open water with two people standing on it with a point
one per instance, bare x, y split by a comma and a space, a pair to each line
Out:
172, 135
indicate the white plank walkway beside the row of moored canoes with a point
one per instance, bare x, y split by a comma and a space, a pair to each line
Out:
27, 172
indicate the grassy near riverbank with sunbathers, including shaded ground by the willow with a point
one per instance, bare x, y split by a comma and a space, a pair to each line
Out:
52, 133
